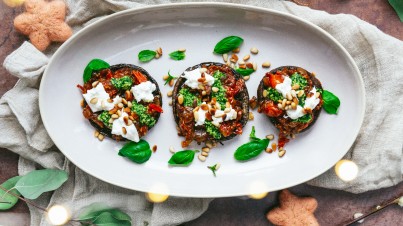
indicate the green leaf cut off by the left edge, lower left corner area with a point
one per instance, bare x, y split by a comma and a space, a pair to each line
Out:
8, 200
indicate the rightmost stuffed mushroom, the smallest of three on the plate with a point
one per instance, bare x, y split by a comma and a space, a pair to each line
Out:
291, 97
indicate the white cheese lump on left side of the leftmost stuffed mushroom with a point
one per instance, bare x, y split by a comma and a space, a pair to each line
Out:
101, 96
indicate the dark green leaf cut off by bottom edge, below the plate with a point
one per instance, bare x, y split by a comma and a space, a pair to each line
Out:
101, 214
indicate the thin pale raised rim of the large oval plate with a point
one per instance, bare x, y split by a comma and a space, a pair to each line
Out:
222, 5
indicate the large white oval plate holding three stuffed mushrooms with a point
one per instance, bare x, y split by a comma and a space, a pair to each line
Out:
281, 38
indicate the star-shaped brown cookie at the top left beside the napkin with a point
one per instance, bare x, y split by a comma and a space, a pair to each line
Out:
43, 22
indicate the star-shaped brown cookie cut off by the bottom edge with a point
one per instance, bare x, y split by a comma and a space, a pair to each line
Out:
293, 211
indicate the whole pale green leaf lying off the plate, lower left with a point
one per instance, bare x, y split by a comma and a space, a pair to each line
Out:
35, 183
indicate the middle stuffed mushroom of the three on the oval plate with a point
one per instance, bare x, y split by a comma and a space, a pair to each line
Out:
210, 103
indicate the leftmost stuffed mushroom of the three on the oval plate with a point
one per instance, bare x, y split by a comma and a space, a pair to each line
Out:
122, 102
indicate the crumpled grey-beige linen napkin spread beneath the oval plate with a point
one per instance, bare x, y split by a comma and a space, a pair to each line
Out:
377, 150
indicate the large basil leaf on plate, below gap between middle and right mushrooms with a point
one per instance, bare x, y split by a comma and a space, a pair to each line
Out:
251, 150
